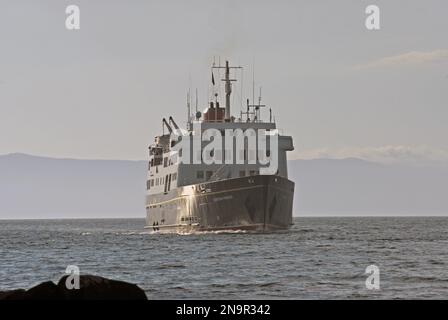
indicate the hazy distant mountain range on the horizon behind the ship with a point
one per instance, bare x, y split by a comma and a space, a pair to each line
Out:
39, 187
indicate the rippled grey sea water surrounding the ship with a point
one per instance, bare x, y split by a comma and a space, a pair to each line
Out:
317, 258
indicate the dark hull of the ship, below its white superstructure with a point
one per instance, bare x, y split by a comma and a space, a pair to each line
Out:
260, 203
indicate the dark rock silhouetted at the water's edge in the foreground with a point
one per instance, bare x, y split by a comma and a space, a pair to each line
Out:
91, 288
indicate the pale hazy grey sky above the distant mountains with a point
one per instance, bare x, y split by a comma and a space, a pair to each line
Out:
337, 88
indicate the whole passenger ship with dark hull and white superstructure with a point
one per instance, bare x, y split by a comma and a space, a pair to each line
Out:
222, 172
